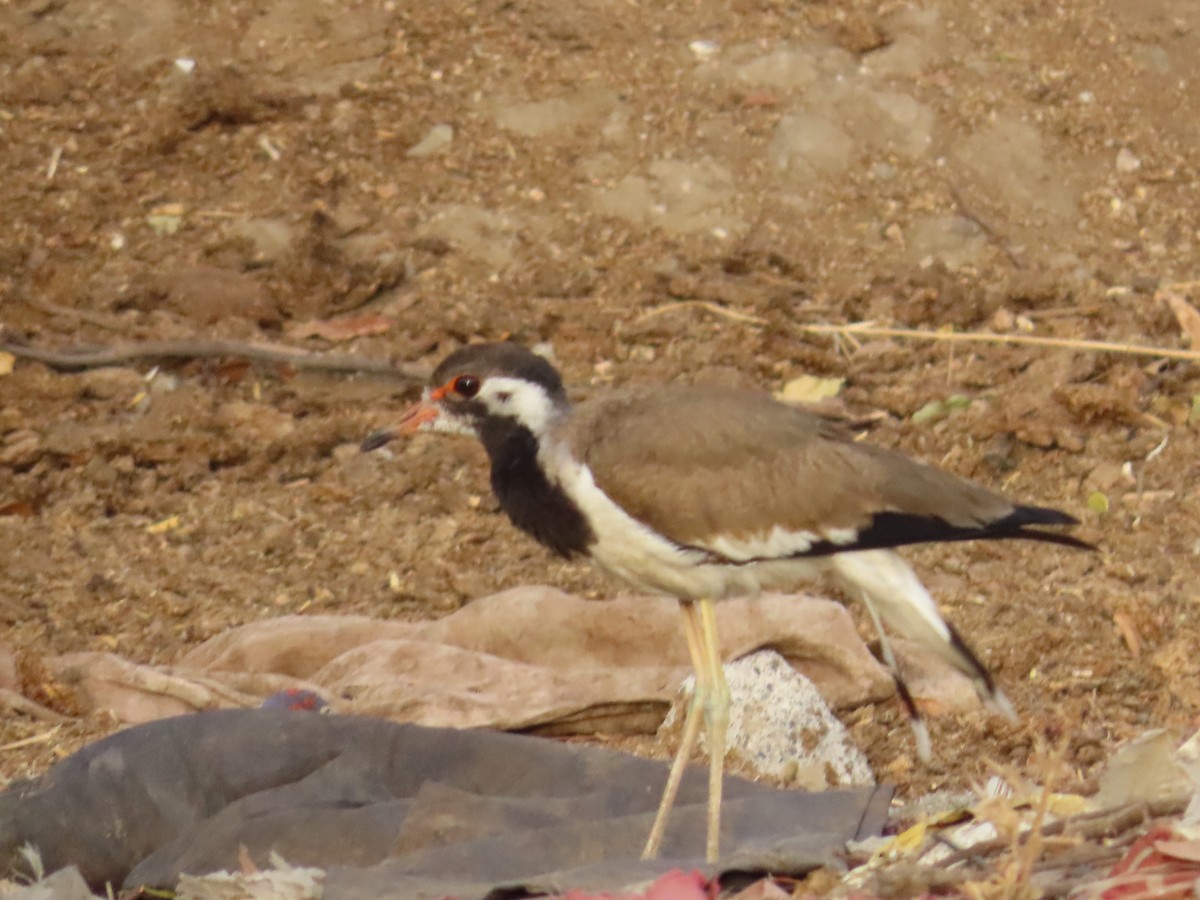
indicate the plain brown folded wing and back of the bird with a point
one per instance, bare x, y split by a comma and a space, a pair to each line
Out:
694, 463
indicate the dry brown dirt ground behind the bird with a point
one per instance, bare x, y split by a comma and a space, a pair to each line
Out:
658, 191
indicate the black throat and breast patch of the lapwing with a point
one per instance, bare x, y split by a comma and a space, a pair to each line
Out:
535, 505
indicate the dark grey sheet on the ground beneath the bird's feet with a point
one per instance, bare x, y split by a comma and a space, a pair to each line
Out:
394, 811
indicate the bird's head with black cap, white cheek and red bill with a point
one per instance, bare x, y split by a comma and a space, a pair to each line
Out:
482, 385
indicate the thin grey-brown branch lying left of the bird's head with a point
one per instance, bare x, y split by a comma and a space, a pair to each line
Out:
79, 358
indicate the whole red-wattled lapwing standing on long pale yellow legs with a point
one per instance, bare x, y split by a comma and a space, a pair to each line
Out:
704, 494
